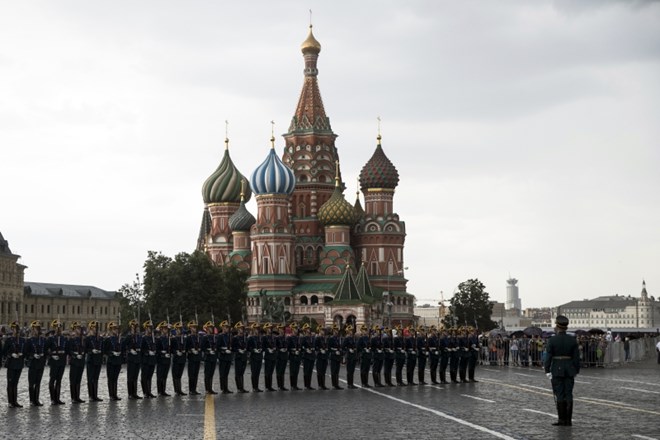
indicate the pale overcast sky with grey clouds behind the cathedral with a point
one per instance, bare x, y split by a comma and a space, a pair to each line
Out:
526, 134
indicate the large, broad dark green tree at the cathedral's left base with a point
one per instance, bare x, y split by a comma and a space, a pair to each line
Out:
192, 285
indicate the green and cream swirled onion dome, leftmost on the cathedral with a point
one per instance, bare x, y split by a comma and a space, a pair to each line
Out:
224, 185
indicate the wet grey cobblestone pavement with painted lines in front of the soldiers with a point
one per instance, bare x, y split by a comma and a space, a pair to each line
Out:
508, 403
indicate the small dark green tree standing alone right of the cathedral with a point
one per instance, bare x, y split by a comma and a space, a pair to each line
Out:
471, 306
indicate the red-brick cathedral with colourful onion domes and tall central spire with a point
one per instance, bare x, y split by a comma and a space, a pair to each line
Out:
309, 251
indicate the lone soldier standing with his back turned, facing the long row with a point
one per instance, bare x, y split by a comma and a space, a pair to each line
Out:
562, 364
